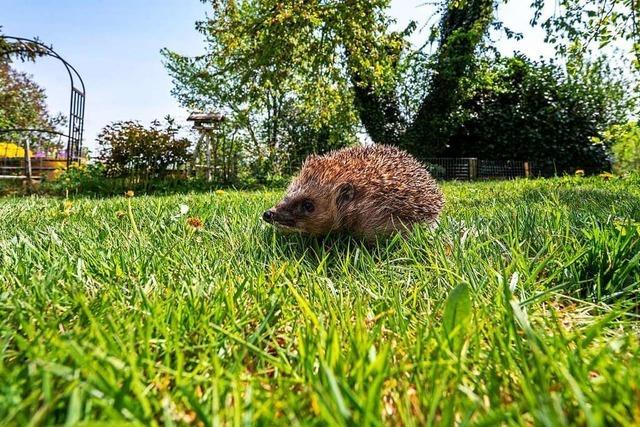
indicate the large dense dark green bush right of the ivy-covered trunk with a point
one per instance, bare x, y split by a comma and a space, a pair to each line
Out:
519, 109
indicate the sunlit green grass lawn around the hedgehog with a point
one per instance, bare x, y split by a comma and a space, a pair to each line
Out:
521, 308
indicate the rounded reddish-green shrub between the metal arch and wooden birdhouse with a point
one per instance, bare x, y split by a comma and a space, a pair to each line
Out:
129, 148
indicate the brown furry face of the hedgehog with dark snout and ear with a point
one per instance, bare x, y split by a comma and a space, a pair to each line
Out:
310, 207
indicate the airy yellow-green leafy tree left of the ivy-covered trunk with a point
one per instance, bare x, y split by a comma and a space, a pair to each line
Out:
256, 77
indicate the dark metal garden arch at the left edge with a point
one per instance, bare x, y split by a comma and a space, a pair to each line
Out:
20, 45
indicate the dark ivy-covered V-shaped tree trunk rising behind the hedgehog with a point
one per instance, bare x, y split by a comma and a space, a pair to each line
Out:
462, 27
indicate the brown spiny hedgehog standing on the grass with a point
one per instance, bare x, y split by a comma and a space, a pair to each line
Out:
366, 191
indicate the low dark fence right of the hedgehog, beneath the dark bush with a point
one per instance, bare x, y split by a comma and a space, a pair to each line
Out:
471, 168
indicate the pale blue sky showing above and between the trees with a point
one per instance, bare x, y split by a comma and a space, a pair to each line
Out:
115, 46
